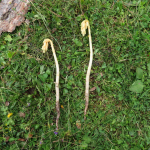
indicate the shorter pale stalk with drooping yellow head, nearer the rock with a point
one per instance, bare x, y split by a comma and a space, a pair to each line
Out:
44, 48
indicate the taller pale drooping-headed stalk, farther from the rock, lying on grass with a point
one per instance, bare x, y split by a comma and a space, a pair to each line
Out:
84, 25
